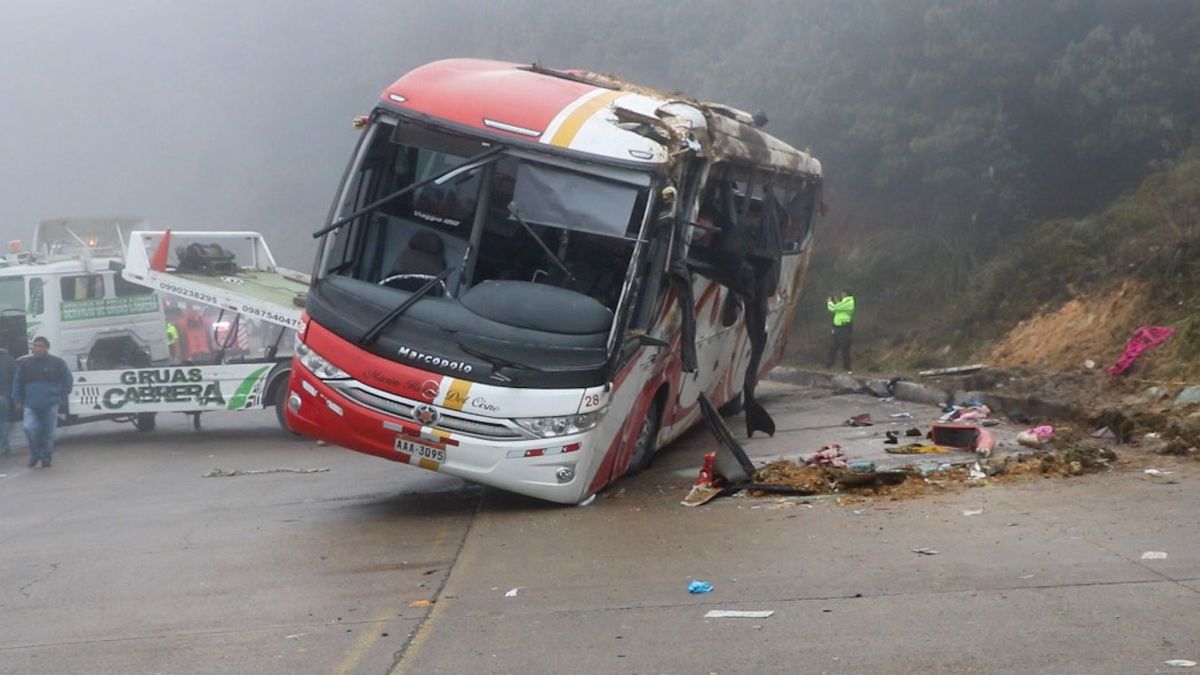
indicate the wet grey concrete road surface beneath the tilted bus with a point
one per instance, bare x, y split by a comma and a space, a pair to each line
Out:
123, 558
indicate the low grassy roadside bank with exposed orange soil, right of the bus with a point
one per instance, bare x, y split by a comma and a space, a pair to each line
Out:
1048, 298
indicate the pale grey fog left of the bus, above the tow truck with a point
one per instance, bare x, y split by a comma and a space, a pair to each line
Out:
197, 116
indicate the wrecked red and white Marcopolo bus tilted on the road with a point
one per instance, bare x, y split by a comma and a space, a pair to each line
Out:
535, 279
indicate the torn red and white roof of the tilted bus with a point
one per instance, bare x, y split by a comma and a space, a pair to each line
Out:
585, 112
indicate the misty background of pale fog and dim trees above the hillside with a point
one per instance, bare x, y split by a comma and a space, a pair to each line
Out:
937, 118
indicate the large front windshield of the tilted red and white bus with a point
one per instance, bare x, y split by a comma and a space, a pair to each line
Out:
519, 255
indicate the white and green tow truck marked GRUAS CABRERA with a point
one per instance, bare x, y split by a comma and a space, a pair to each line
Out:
88, 288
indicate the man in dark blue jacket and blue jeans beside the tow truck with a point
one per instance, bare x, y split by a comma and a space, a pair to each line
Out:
41, 383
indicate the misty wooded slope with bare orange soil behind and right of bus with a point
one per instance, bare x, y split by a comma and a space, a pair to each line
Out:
987, 164
